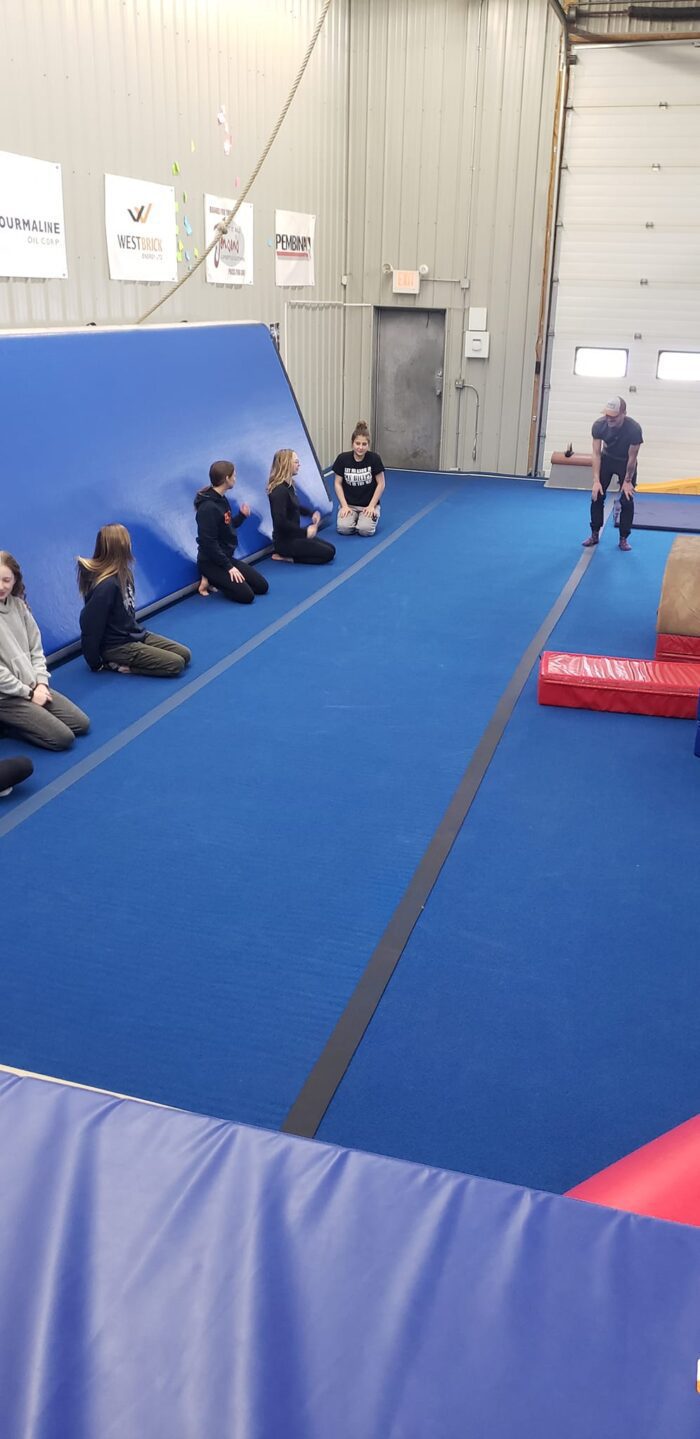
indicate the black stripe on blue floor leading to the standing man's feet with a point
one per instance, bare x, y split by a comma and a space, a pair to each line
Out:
332, 1066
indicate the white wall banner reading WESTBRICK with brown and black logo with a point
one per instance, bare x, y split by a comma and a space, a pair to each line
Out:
140, 224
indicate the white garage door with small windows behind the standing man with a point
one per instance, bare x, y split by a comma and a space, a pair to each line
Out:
627, 276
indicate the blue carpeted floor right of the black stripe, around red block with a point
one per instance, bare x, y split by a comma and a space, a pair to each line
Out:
542, 1021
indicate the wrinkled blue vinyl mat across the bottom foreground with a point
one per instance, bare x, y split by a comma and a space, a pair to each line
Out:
163, 1274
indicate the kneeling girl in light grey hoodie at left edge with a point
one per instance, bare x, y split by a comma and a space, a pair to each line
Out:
30, 709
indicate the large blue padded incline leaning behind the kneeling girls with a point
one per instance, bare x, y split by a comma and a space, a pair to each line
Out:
120, 427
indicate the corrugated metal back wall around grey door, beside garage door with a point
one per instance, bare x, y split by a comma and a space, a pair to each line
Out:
450, 147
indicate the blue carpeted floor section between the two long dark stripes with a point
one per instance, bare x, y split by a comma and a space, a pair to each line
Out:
214, 891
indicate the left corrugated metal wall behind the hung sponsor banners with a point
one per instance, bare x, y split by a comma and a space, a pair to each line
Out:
126, 88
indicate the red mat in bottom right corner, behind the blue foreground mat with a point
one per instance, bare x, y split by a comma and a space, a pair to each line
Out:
662, 1179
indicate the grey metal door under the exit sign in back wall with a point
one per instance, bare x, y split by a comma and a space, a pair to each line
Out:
408, 388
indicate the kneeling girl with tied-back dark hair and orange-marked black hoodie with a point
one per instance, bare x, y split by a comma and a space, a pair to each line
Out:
217, 540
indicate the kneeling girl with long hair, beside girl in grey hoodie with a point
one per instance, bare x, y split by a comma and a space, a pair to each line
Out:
112, 635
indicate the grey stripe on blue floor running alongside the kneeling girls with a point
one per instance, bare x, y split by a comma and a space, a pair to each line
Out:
120, 742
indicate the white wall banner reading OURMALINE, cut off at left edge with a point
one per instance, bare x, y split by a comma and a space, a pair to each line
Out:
32, 232
